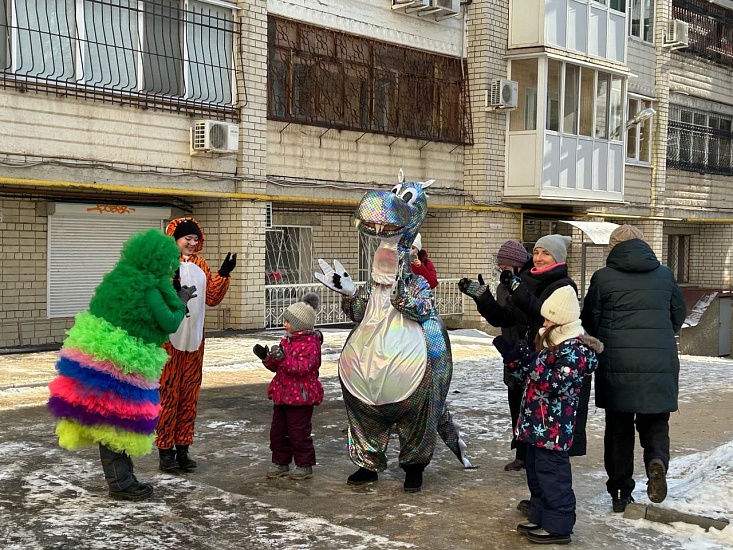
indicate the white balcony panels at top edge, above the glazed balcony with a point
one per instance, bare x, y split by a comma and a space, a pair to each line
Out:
589, 27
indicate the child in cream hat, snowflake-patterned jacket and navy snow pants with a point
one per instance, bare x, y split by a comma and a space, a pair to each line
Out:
553, 379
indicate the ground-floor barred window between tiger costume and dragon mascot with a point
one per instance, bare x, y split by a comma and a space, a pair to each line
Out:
288, 255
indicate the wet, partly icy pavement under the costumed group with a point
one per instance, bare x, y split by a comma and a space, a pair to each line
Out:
52, 498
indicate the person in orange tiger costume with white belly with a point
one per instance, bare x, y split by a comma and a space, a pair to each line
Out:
180, 383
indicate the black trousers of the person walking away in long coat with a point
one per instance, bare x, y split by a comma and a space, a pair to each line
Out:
618, 446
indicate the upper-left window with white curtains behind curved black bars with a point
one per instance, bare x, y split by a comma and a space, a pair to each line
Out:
174, 55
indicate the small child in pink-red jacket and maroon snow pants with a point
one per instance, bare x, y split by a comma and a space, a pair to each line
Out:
294, 390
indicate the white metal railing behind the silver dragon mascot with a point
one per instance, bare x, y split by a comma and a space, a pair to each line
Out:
448, 299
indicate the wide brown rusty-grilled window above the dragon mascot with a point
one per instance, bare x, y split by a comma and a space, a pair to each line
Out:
327, 78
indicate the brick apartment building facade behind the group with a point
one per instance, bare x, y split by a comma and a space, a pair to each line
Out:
267, 121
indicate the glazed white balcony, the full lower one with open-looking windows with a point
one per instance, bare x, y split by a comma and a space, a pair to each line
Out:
565, 139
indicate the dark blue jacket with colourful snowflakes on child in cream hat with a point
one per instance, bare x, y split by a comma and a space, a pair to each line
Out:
553, 378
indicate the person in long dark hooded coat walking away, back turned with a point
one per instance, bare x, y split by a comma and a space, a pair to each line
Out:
634, 307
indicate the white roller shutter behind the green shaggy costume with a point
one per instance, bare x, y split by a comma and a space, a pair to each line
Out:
84, 243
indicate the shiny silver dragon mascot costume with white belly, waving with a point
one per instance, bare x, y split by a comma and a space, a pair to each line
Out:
396, 366
